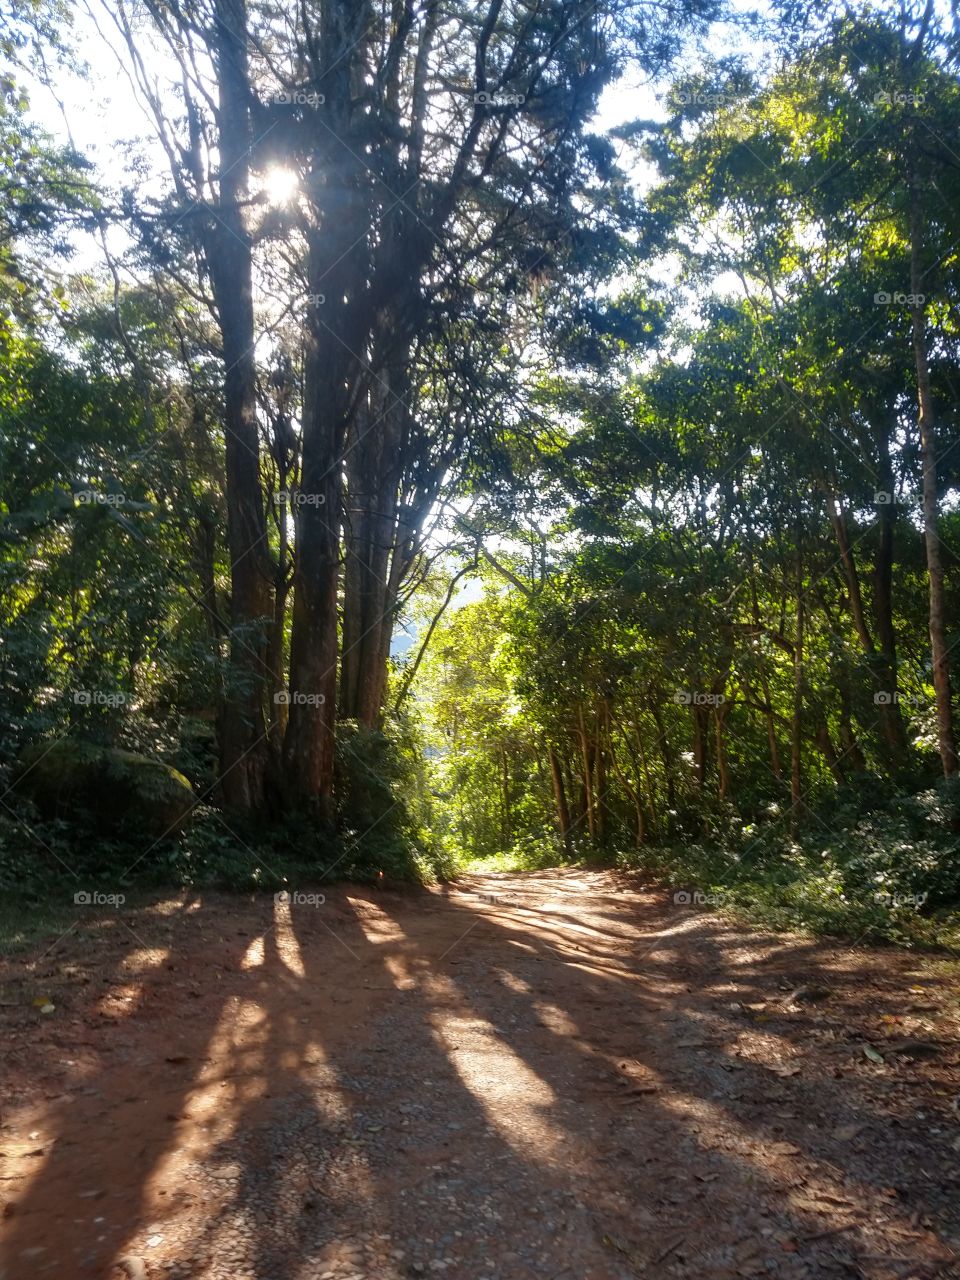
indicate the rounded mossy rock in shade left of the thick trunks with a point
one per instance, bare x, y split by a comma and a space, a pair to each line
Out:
118, 792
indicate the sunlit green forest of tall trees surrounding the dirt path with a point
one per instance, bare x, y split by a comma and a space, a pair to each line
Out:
400, 470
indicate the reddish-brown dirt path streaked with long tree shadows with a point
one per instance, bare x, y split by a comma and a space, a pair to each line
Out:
547, 1076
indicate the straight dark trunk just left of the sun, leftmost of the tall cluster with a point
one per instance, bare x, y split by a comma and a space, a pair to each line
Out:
244, 747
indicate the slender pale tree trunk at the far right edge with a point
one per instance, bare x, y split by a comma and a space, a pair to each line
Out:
931, 501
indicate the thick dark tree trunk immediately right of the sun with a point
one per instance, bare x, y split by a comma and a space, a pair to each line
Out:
339, 218
